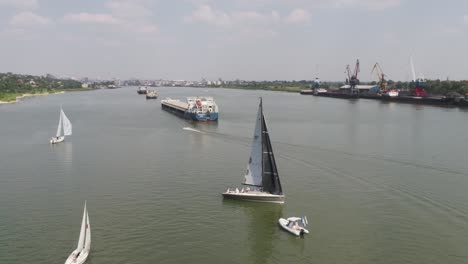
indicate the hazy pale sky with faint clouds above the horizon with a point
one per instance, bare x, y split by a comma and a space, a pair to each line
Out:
245, 39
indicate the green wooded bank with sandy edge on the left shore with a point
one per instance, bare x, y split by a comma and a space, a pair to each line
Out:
14, 87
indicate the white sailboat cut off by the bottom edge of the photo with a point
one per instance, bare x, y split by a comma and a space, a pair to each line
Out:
79, 255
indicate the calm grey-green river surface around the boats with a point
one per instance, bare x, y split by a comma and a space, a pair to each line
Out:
379, 182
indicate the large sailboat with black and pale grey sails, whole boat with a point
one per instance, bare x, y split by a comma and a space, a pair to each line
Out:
262, 178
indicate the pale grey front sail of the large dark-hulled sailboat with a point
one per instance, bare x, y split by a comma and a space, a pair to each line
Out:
253, 175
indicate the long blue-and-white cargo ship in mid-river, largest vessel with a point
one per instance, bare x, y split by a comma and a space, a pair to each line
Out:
196, 108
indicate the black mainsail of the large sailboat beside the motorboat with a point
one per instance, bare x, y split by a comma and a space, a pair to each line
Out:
270, 177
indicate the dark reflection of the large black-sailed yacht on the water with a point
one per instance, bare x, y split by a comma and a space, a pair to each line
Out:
262, 228
